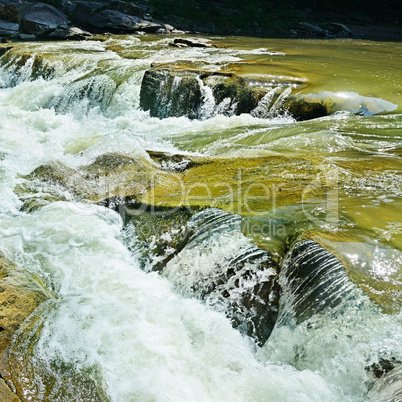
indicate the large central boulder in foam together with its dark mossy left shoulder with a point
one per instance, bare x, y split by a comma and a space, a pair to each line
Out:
205, 255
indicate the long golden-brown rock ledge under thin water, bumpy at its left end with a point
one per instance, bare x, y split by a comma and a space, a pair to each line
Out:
246, 186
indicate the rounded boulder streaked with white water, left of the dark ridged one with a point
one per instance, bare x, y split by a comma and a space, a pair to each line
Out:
221, 266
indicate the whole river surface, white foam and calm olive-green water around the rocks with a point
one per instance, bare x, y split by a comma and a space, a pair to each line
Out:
139, 335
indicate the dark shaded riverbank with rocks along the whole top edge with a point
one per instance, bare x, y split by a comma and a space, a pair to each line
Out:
75, 19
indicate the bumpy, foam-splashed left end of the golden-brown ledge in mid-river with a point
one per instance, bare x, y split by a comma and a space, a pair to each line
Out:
111, 177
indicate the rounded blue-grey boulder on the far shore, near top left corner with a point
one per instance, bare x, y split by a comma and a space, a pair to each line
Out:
42, 19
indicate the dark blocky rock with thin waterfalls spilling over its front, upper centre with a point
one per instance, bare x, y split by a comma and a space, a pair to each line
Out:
173, 90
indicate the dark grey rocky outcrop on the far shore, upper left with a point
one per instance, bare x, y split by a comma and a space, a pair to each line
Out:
45, 21
